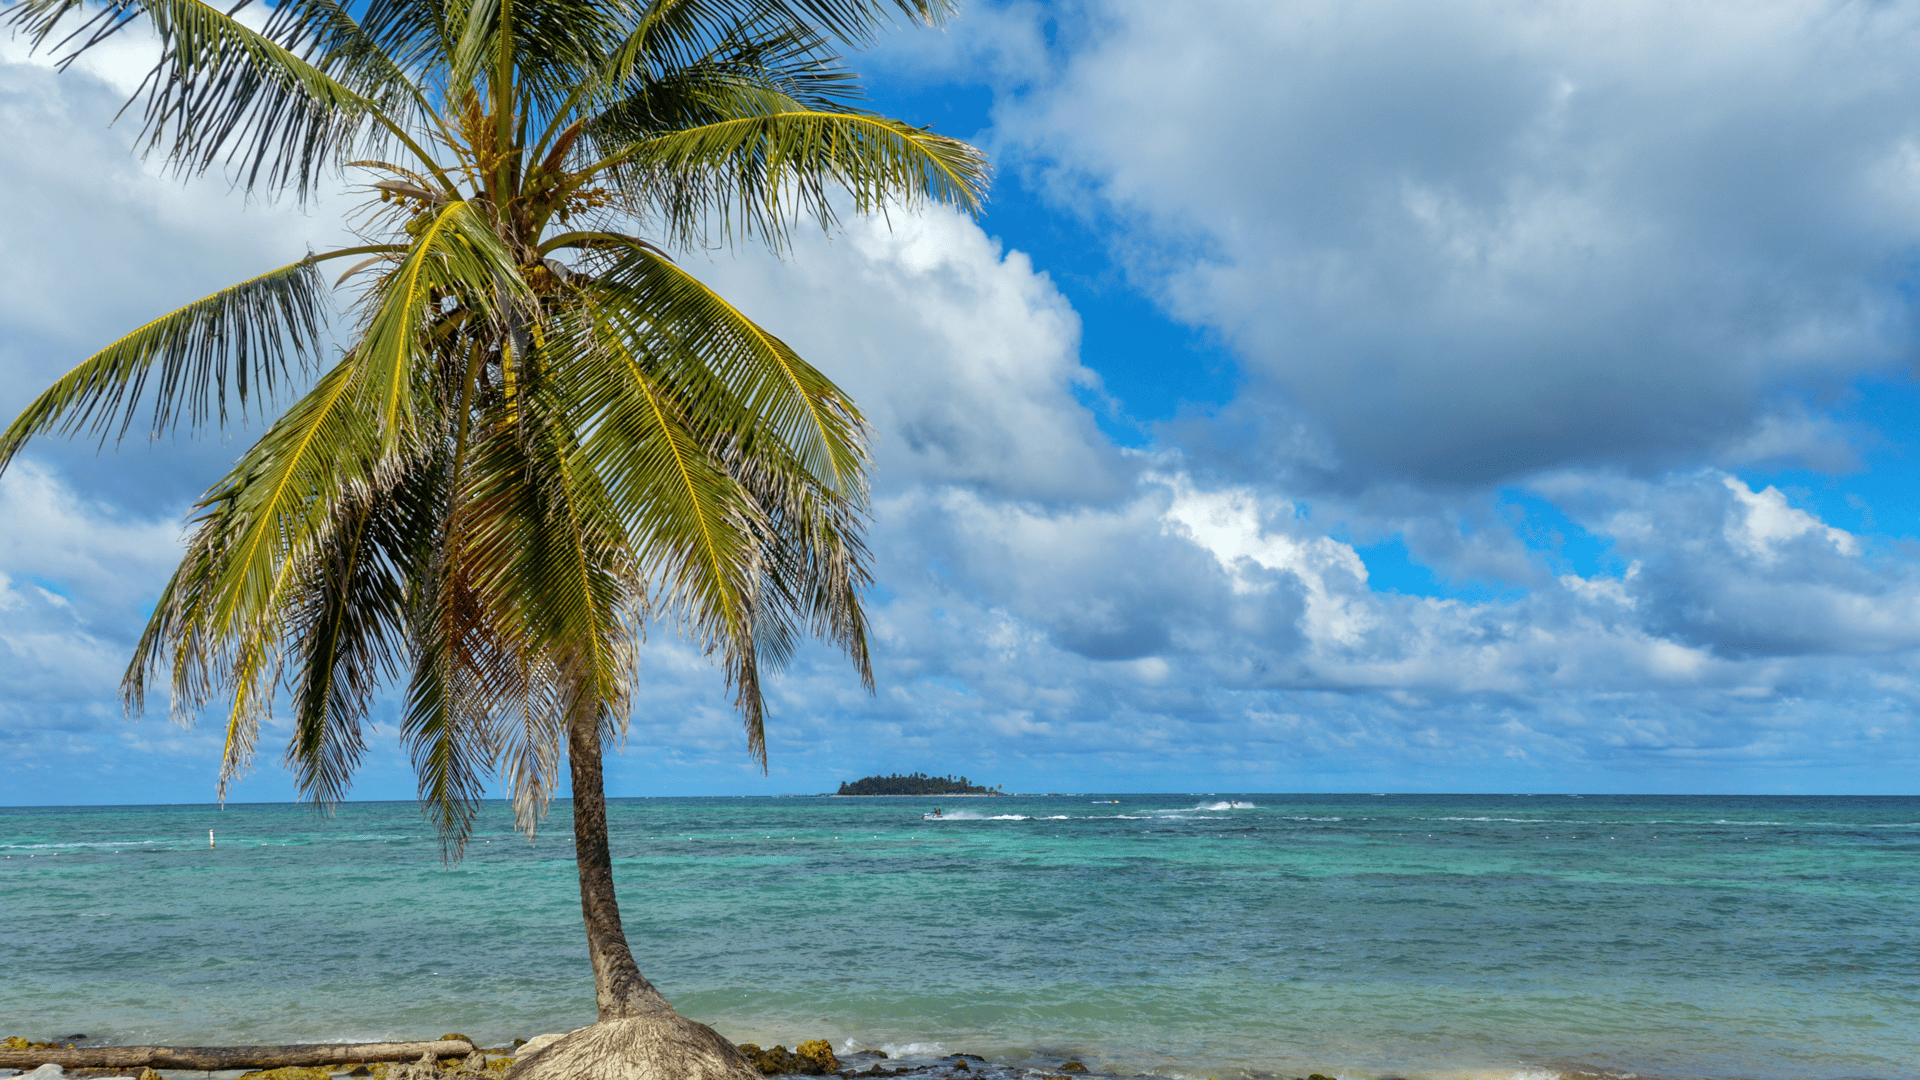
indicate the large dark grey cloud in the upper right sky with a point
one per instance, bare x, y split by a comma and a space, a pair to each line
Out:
1472, 241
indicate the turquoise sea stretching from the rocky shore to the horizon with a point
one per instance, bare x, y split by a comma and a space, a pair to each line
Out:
1362, 937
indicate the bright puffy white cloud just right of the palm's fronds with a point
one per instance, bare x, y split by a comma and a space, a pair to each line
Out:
963, 355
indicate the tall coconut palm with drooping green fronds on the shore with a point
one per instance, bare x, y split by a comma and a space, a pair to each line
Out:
540, 433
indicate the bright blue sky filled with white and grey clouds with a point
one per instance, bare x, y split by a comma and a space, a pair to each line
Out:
1356, 395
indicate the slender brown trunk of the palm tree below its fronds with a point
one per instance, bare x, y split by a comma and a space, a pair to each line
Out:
617, 983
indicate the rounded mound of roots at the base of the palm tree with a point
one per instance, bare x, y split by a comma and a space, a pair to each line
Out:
656, 1046
